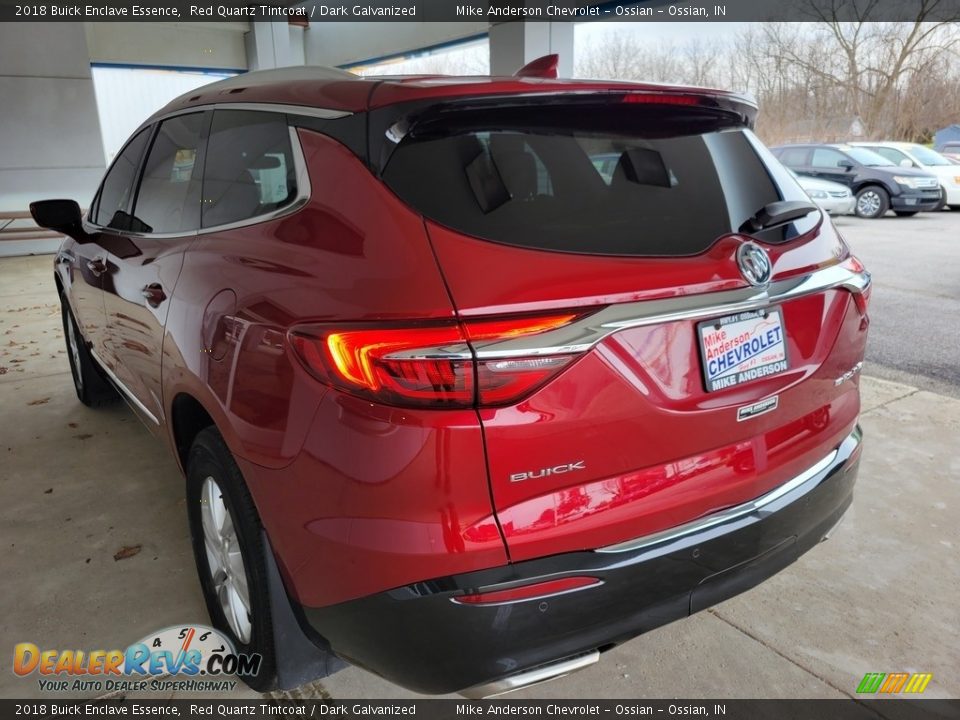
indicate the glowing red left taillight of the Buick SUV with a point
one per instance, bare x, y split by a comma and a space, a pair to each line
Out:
430, 365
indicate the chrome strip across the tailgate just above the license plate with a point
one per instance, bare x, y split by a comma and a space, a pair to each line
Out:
587, 332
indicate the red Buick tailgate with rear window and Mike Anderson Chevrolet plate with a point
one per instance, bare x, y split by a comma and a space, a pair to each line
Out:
672, 386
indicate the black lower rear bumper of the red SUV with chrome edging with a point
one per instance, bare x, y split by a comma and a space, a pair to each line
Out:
420, 637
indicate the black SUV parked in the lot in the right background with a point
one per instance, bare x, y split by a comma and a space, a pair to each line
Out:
878, 184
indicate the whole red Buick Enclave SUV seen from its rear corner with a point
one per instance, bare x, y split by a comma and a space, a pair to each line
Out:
459, 399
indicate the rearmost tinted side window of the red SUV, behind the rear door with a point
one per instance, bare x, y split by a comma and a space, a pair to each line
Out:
249, 169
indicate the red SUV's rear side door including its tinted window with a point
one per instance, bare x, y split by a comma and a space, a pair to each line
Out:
144, 263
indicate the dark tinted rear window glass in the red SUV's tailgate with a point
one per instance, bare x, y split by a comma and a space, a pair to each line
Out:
622, 183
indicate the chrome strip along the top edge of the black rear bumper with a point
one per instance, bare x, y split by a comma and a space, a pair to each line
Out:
798, 486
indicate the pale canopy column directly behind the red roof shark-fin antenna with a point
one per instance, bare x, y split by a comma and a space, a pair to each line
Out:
514, 44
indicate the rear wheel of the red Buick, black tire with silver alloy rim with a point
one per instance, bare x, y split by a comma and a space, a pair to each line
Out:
219, 506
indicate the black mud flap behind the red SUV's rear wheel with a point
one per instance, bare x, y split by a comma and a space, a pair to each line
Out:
299, 659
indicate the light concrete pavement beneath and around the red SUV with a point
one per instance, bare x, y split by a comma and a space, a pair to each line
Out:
77, 485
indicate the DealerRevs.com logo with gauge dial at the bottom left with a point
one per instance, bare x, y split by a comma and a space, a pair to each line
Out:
190, 658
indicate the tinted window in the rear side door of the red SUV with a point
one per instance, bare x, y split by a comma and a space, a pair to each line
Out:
168, 200
